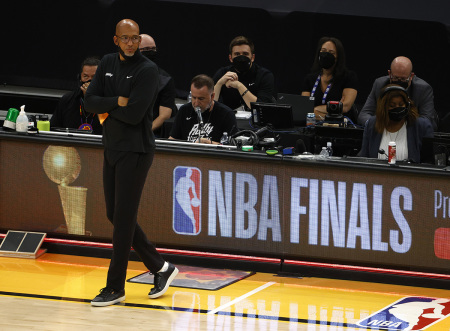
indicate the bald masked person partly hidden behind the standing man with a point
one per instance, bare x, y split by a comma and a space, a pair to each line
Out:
164, 107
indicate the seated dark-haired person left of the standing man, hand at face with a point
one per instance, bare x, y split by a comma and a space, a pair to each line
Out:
70, 111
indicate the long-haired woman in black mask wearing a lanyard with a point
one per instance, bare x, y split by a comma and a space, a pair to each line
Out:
330, 80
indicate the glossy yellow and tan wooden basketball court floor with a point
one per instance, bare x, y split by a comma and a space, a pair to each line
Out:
53, 292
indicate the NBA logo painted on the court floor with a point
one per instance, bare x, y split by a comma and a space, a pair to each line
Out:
408, 314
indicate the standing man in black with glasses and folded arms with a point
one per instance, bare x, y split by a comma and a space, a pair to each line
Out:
123, 92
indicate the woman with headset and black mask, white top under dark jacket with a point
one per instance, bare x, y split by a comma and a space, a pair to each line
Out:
396, 119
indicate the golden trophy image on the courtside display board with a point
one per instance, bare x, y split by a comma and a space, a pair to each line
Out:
63, 165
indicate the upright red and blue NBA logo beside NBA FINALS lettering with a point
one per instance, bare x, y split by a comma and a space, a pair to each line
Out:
187, 195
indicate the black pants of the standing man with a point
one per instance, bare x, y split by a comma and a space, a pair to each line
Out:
124, 175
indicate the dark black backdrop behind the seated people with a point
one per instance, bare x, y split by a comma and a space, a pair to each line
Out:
47, 40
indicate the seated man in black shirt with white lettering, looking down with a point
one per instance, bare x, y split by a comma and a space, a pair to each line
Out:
216, 117
